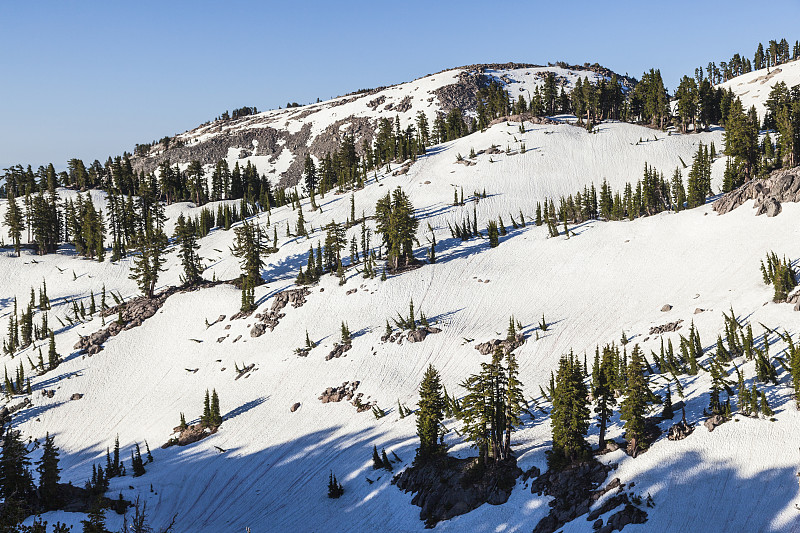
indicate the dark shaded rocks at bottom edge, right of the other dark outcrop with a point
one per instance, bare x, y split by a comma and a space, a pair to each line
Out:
575, 489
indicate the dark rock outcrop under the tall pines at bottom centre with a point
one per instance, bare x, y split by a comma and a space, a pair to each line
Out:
450, 486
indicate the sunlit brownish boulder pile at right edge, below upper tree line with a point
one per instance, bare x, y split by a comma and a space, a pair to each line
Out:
781, 186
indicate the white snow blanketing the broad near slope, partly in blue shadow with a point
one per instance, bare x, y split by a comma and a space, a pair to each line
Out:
273, 473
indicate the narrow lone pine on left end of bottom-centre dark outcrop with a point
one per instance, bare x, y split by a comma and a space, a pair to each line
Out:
429, 417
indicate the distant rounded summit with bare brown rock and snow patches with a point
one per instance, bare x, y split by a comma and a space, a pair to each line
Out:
277, 141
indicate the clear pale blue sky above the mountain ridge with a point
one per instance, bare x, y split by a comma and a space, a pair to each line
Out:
93, 78
